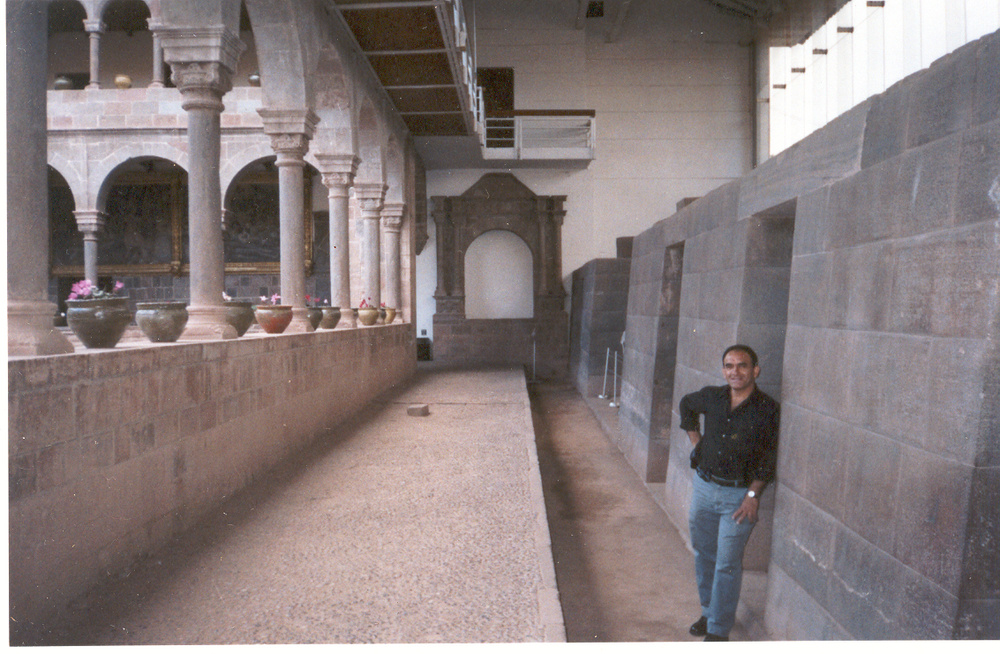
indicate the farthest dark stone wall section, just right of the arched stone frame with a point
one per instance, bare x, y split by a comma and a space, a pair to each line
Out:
600, 296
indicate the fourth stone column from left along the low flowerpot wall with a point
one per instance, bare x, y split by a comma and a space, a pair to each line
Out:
338, 176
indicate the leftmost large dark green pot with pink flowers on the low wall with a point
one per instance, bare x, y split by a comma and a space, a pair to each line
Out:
97, 317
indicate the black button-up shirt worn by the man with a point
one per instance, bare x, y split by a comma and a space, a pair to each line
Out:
741, 444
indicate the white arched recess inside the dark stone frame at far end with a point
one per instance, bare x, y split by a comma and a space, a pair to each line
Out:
491, 296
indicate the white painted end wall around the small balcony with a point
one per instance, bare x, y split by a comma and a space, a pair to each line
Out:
672, 97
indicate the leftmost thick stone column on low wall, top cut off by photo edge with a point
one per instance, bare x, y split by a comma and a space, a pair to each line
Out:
29, 312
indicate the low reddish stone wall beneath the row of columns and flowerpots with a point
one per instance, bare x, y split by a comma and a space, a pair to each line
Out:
112, 452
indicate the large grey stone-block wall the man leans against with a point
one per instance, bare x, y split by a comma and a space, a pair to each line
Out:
883, 232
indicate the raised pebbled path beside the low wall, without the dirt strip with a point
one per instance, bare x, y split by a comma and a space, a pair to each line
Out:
392, 529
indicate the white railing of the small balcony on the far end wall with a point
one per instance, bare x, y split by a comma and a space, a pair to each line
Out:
540, 135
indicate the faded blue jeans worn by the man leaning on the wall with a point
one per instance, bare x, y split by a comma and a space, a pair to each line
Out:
718, 543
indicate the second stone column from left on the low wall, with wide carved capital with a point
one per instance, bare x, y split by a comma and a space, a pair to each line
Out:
202, 63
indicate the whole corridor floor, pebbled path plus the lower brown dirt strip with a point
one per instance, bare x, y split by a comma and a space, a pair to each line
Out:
411, 529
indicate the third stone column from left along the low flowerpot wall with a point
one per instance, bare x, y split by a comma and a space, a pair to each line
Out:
290, 131
